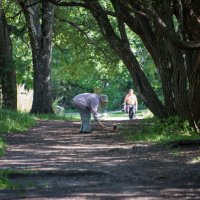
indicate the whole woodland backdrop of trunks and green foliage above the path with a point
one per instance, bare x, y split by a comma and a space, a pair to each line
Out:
61, 48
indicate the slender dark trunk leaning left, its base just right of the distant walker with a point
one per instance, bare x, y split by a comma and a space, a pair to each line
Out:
123, 50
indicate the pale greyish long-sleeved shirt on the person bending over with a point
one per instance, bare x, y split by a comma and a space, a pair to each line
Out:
88, 101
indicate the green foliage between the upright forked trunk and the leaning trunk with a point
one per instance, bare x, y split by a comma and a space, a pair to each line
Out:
84, 61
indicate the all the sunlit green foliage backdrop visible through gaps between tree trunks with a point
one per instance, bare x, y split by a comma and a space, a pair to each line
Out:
82, 61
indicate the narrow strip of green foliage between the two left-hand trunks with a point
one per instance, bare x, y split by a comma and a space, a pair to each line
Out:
20, 43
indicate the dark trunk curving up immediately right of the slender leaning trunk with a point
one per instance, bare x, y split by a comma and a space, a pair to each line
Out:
141, 26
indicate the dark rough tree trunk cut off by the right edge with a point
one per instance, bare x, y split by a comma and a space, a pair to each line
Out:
192, 31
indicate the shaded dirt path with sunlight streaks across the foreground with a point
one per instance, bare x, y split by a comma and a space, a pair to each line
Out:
64, 164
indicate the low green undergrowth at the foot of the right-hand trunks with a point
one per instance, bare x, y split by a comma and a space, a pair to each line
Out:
154, 130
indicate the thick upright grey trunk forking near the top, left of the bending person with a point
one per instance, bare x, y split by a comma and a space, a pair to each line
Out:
41, 44
